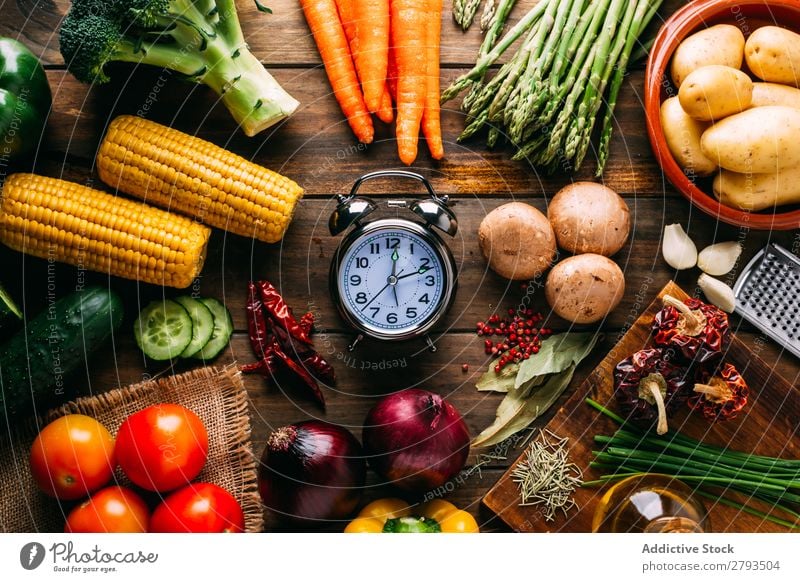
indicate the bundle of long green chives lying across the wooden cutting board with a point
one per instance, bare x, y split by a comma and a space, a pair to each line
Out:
773, 481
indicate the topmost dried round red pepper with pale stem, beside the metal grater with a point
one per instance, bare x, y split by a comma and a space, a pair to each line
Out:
698, 330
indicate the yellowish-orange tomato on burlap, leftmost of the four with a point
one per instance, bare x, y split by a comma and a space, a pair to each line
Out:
72, 456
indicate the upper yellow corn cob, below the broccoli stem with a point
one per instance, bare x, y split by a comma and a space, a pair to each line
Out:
173, 170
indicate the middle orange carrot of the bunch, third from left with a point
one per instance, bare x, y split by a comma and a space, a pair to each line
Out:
372, 58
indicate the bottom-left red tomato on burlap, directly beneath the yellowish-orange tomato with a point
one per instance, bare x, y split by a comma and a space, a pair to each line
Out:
111, 510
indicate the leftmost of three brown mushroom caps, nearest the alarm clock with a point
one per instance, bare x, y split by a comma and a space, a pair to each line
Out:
517, 241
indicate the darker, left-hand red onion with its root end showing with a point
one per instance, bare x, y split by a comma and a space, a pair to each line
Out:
311, 470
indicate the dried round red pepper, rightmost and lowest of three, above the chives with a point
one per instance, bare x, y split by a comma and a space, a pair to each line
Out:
720, 395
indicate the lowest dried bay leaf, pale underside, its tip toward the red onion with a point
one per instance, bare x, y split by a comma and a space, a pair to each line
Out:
517, 412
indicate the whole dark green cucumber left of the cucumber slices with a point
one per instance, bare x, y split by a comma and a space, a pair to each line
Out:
36, 362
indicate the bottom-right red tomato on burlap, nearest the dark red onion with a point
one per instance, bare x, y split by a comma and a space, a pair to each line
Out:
198, 508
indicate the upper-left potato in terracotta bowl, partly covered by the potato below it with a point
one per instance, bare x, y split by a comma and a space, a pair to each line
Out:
722, 44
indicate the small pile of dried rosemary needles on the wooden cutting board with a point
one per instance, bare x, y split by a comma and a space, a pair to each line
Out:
546, 476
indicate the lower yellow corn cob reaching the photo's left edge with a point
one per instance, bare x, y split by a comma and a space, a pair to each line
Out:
70, 223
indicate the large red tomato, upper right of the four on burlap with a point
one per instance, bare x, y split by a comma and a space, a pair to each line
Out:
162, 447
